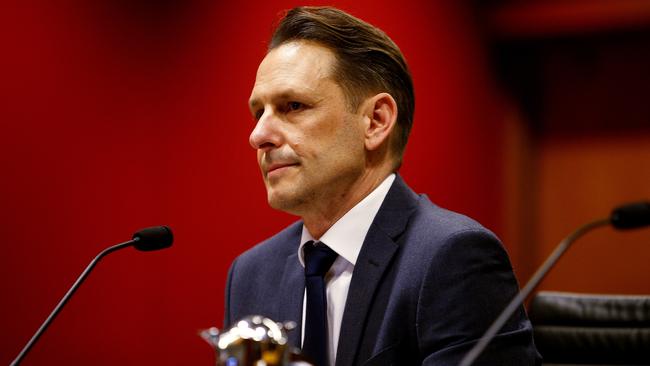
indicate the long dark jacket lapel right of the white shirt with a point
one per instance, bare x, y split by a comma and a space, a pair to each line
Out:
375, 257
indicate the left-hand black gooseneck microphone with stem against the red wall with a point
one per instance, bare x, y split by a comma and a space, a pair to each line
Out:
148, 239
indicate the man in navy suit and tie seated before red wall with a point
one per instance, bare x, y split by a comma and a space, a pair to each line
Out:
405, 282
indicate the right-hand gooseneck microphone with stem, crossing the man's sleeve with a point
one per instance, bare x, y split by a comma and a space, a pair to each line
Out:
629, 216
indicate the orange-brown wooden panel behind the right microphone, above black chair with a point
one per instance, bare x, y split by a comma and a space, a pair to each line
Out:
581, 180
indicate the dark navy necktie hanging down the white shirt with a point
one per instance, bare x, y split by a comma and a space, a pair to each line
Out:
318, 260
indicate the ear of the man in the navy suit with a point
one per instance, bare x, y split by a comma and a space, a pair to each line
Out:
381, 117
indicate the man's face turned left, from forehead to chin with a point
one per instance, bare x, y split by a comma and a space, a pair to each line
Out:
310, 146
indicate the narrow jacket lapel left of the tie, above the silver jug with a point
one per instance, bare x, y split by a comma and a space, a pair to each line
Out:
291, 294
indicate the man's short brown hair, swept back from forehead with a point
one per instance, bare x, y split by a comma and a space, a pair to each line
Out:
368, 61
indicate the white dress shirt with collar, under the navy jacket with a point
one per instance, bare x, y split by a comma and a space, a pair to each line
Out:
345, 237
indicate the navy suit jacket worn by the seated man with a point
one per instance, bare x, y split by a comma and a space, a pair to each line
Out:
427, 283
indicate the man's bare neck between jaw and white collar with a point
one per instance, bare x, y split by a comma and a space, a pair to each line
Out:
319, 219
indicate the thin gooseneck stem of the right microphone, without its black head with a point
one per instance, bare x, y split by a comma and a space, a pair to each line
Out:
539, 275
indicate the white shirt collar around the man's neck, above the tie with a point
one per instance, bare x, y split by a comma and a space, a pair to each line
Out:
346, 236
